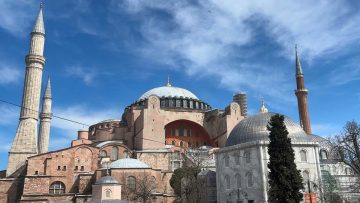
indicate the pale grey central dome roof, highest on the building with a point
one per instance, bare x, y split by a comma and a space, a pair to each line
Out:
168, 91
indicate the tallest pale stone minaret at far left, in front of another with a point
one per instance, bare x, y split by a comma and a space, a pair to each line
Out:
25, 141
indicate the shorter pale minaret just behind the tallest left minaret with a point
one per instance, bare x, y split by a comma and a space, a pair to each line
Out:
45, 119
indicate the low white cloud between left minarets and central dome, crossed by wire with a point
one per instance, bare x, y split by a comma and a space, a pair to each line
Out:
81, 114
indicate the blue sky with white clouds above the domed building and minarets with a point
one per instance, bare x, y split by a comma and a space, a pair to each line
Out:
102, 55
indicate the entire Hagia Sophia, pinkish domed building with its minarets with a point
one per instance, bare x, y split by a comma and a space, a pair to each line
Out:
154, 136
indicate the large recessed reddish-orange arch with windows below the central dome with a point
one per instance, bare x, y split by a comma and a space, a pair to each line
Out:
186, 134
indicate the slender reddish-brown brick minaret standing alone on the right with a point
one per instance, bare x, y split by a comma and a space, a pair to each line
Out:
301, 94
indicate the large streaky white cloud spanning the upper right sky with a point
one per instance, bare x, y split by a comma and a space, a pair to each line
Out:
209, 38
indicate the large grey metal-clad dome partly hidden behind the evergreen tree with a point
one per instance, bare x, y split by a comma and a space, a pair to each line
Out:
254, 128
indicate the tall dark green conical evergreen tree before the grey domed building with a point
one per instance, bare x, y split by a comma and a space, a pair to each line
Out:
284, 179
